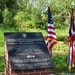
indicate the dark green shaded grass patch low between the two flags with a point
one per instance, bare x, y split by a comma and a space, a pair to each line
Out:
60, 62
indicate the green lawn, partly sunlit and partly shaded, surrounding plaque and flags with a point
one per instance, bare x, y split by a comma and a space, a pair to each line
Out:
60, 50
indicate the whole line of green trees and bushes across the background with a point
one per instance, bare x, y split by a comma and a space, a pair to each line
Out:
33, 13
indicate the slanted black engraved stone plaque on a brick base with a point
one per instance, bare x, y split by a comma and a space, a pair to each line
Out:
27, 50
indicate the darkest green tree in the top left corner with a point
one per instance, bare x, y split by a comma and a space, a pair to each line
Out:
10, 4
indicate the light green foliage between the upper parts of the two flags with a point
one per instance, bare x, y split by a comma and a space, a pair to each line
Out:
61, 11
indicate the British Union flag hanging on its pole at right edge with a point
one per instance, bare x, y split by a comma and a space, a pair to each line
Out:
71, 38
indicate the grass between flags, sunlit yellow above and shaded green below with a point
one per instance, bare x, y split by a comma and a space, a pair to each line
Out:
60, 53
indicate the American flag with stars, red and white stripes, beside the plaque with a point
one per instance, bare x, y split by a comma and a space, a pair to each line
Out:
51, 35
